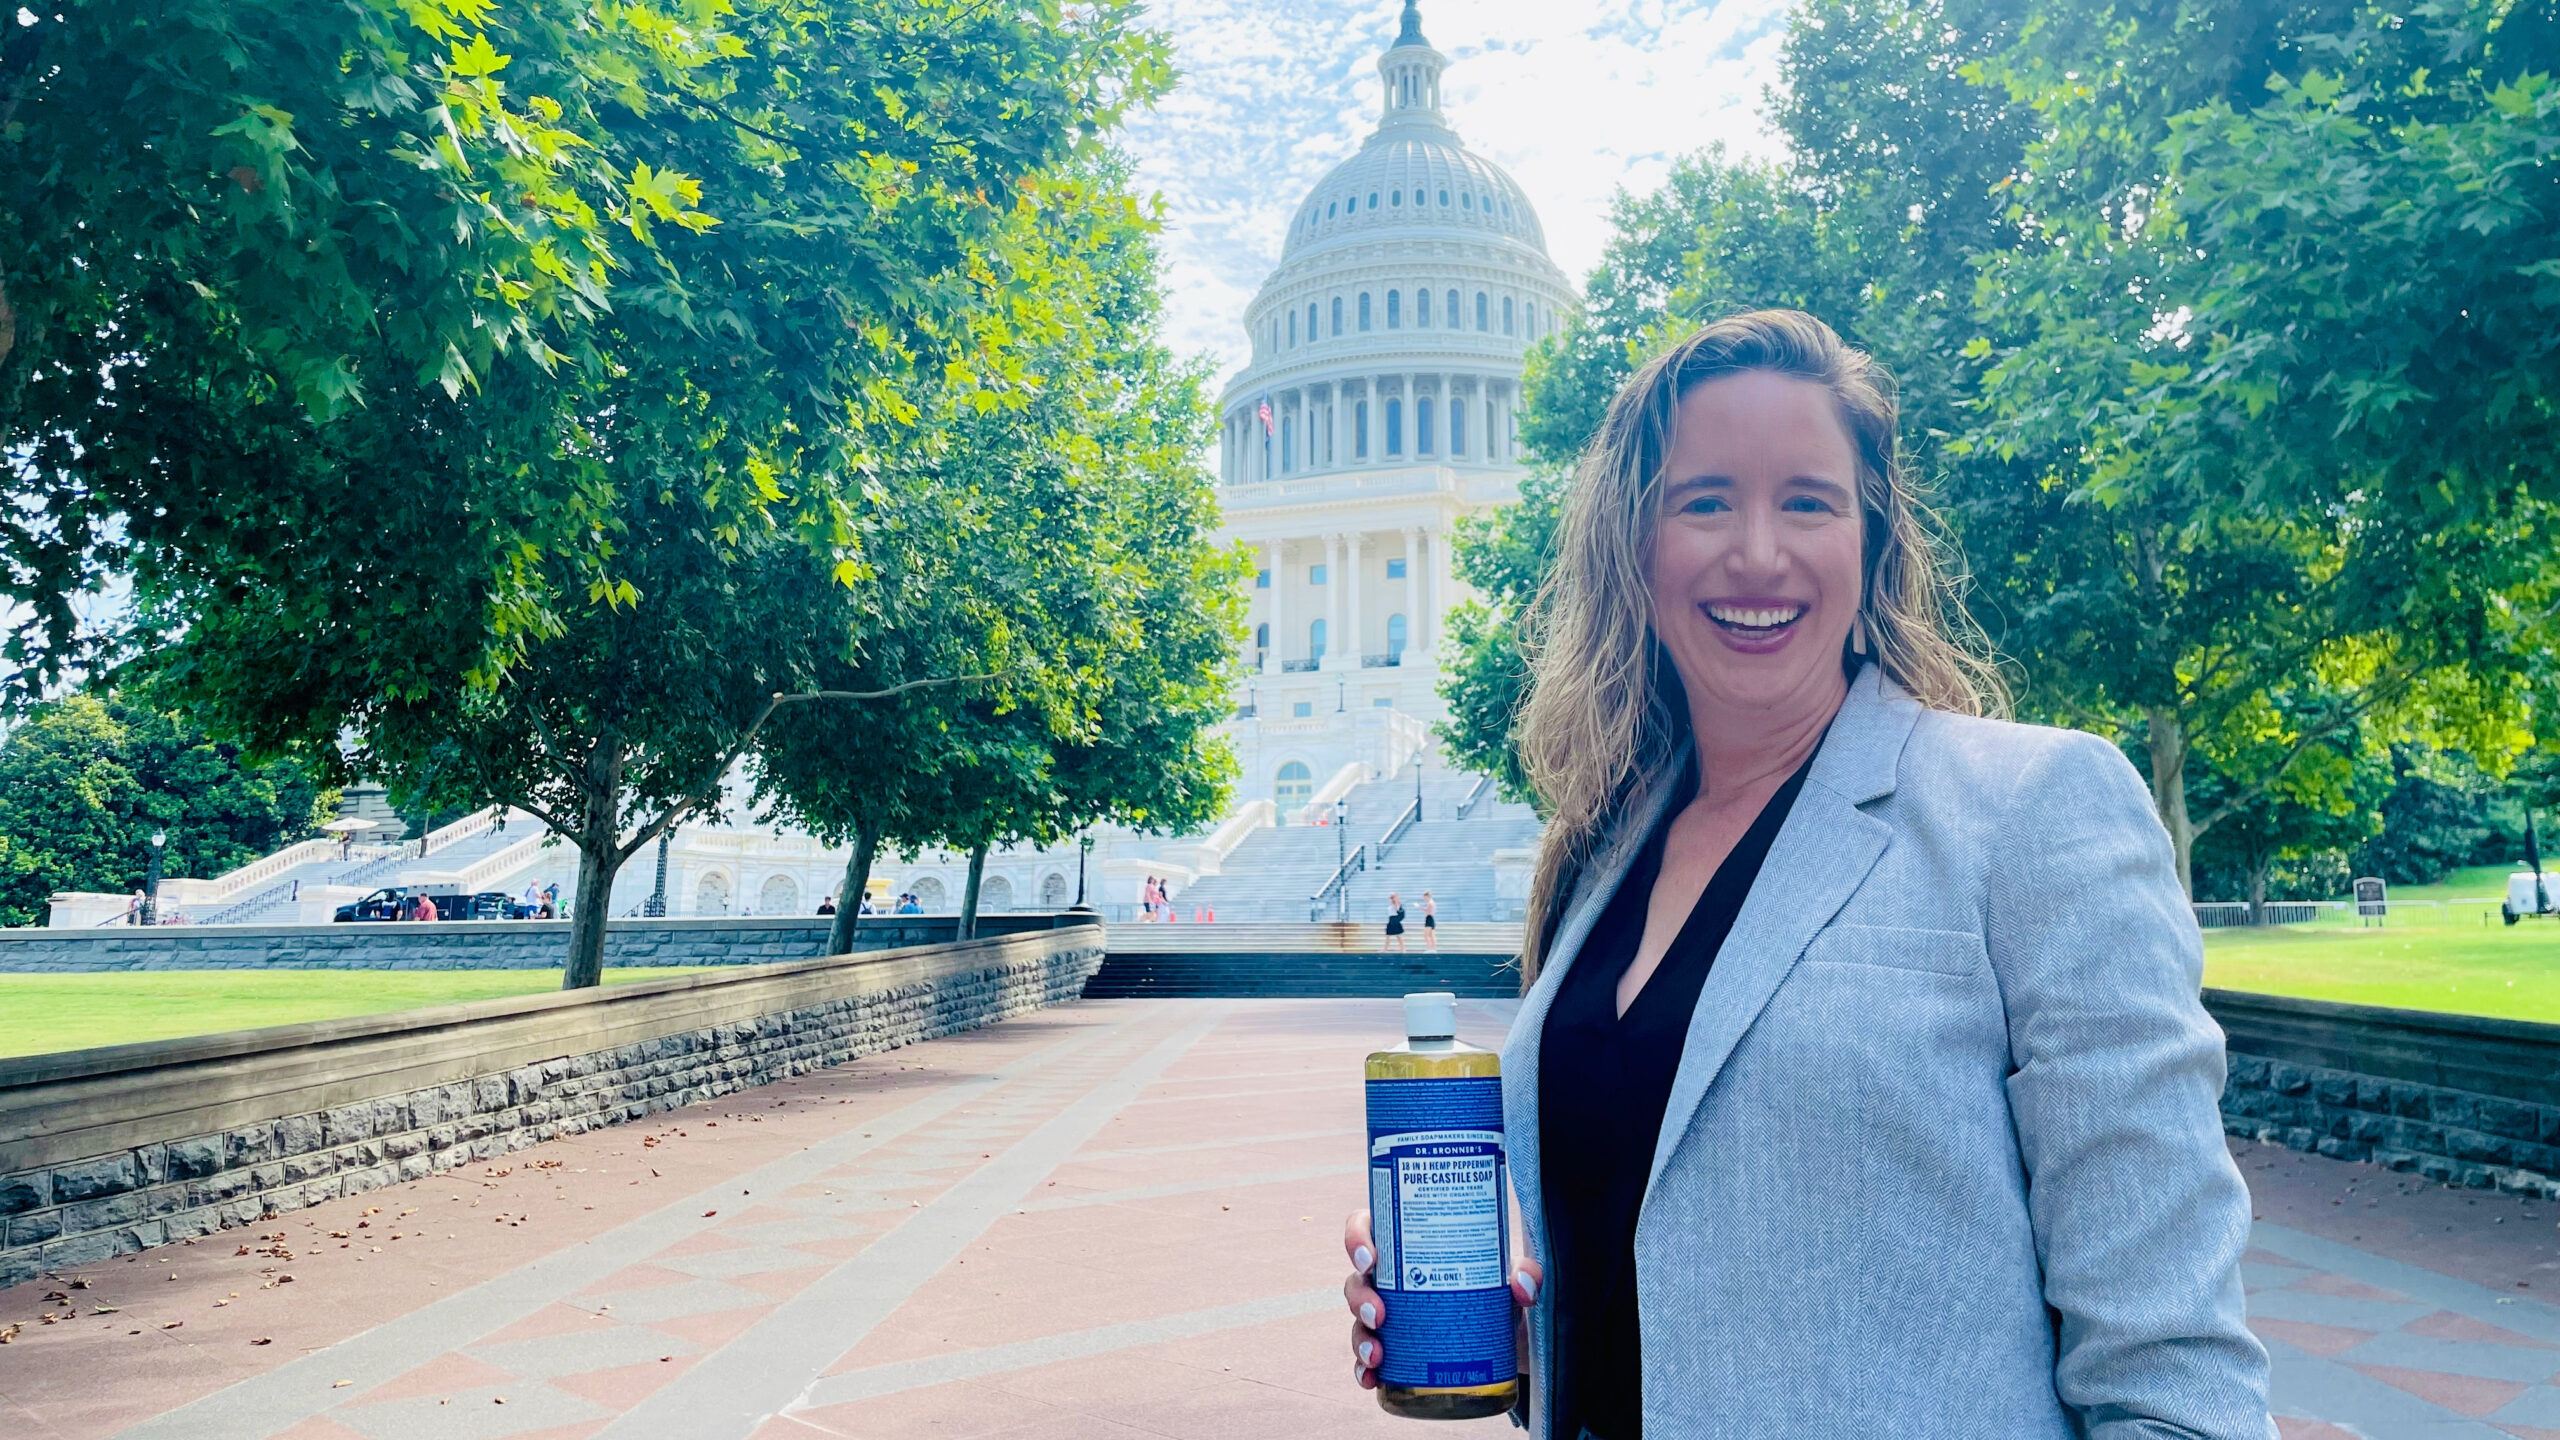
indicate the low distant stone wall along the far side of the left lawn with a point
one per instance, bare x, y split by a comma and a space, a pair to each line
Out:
470, 944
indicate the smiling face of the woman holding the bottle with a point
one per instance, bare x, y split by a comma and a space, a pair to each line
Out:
1760, 544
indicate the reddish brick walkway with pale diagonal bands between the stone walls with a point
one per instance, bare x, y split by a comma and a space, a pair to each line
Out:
1117, 1218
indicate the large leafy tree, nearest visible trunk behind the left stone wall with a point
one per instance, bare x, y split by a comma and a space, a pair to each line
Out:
575, 611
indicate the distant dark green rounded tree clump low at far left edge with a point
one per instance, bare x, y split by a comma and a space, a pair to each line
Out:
86, 780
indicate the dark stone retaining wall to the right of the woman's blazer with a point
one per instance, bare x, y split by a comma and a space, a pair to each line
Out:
2454, 1098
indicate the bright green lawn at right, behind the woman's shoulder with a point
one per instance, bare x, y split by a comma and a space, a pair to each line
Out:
2454, 960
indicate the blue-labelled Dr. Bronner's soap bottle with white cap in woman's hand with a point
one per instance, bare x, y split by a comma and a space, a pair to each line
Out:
1440, 1221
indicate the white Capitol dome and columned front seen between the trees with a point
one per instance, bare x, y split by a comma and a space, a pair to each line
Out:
1379, 411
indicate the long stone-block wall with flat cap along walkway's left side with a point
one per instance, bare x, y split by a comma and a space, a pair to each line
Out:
132, 1147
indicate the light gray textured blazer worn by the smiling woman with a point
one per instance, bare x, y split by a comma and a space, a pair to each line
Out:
1944, 1157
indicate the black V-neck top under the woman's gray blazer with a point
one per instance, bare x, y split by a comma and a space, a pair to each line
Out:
1604, 1085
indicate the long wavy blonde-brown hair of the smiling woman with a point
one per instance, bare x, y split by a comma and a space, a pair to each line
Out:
1606, 719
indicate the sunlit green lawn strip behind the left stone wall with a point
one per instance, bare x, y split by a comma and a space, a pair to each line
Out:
47, 1013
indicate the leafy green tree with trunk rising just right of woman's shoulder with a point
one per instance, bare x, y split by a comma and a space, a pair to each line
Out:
2203, 532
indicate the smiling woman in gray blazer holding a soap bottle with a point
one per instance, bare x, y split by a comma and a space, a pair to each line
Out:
1860, 1085
